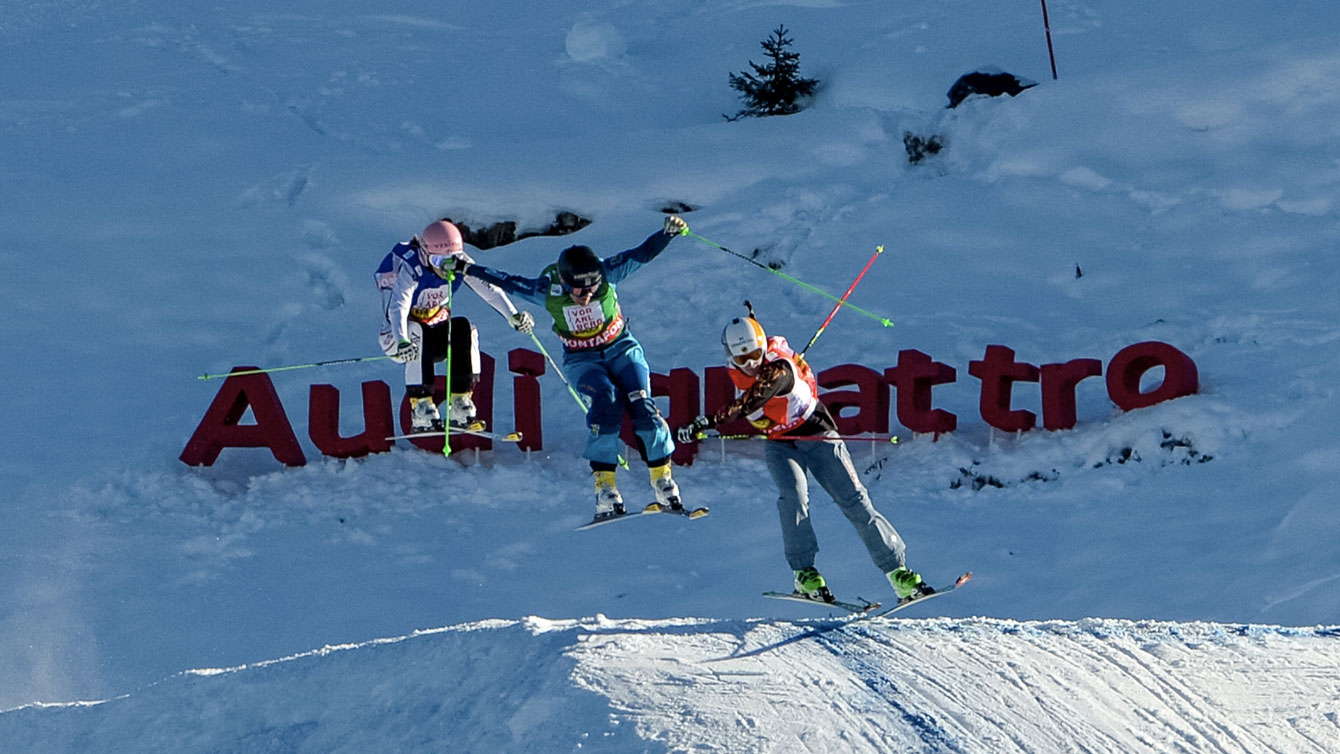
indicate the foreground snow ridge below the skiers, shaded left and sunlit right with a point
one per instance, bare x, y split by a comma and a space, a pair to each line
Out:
937, 685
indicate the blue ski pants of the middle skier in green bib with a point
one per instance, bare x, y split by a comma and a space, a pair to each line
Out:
616, 378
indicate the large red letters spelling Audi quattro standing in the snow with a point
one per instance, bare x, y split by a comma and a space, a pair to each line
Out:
858, 396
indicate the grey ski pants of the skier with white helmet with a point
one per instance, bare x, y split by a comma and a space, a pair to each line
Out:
831, 467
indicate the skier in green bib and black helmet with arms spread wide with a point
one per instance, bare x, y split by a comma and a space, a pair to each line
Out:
601, 357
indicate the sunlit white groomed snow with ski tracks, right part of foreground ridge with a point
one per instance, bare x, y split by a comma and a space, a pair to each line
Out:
974, 686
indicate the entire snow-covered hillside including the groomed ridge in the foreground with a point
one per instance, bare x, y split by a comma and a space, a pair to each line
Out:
184, 190
